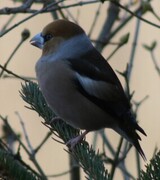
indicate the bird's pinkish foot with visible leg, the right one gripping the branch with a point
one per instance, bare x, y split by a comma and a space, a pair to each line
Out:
72, 142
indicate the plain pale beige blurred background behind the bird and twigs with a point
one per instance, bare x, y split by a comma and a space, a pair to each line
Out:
144, 77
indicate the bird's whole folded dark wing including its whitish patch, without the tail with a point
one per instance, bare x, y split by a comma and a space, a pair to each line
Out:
96, 80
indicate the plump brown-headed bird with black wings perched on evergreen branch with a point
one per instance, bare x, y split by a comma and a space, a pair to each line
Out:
80, 86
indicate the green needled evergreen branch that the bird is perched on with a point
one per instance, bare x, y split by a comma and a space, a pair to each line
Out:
88, 159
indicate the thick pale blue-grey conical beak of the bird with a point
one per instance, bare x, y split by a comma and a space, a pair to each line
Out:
37, 41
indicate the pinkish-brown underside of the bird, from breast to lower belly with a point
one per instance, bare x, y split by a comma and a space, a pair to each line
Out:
69, 104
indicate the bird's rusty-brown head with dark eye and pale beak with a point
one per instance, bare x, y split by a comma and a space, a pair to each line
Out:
54, 34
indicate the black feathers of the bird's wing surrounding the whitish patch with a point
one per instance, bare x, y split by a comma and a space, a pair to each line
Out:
96, 68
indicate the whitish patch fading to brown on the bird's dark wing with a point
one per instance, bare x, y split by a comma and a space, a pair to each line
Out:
99, 89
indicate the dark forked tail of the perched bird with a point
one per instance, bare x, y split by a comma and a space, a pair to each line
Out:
127, 128
